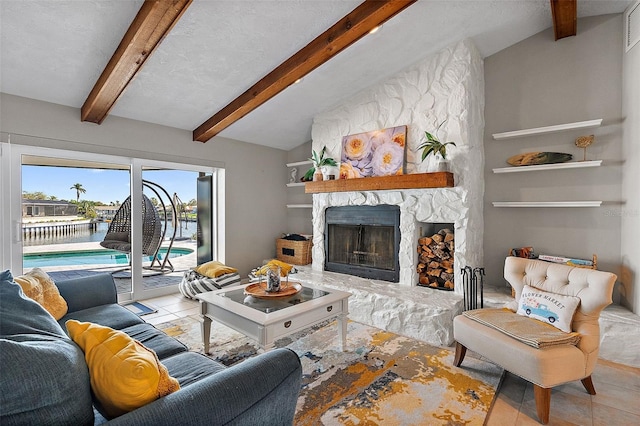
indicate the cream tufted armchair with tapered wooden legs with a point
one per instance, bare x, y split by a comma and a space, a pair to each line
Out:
548, 367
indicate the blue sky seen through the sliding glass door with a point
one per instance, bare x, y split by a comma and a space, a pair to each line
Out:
104, 185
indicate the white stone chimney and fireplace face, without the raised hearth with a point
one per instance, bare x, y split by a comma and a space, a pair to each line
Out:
447, 87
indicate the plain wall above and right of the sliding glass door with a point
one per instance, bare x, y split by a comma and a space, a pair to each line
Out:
253, 221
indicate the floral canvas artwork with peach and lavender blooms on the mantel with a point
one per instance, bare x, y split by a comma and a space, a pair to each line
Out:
377, 153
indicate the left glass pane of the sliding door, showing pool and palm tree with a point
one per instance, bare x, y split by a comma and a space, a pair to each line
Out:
63, 221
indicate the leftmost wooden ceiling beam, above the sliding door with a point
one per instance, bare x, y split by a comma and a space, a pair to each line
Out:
152, 23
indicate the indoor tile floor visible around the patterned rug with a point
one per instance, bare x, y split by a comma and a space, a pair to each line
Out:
616, 404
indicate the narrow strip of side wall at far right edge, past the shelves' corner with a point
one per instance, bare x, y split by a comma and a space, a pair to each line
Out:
630, 251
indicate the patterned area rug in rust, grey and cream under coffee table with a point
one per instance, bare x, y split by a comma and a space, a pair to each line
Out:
382, 378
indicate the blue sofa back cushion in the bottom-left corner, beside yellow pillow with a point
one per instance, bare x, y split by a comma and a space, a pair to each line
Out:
45, 379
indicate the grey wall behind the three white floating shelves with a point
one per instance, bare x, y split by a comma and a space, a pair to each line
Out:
540, 82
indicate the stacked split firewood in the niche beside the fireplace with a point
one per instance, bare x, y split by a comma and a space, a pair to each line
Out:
435, 260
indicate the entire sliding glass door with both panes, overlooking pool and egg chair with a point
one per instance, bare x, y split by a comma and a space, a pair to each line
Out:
73, 213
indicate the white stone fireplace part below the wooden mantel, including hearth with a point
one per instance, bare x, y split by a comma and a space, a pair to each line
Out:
404, 308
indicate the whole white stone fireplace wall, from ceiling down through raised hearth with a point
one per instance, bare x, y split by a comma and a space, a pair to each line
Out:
447, 86
